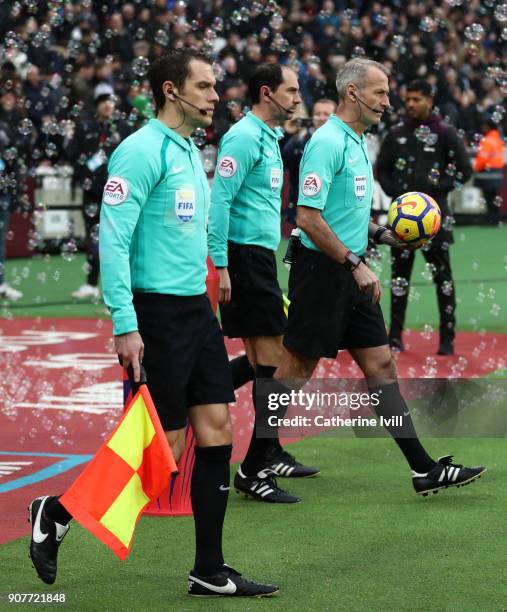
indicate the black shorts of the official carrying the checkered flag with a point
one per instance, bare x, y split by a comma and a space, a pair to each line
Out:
184, 355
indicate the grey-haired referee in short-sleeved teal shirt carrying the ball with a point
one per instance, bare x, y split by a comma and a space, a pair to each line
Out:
334, 295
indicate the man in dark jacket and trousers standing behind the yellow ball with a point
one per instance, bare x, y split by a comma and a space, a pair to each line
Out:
423, 153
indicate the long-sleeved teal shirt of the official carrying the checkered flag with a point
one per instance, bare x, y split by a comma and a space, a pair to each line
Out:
152, 221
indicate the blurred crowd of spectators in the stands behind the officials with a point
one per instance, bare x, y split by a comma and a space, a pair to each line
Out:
58, 59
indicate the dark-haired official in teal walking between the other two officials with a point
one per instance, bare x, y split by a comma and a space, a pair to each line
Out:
244, 233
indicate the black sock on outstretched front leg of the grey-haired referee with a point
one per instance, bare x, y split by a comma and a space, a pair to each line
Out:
391, 405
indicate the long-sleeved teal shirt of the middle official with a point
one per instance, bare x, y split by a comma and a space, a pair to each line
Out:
246, 190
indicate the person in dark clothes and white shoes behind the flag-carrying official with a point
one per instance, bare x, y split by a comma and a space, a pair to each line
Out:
94, 140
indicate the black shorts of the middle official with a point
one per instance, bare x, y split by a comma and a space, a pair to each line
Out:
256, 307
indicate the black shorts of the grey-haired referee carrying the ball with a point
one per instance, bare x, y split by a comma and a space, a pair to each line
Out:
327, 311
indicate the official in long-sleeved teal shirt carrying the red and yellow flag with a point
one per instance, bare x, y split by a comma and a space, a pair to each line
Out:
153, 250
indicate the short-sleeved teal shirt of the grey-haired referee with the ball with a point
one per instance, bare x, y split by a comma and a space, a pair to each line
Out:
336, 177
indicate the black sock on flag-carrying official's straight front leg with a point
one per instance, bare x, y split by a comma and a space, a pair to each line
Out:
209, 492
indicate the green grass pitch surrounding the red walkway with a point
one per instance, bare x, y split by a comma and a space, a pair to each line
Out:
361, 540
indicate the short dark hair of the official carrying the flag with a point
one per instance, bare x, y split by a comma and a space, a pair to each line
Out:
173, 66
